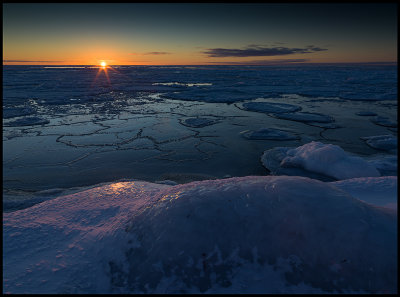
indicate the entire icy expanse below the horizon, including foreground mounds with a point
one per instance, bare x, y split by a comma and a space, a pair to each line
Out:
152, 181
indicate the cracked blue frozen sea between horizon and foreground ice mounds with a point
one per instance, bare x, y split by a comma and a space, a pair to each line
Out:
70, 127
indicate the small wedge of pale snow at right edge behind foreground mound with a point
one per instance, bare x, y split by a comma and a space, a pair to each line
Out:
379, 191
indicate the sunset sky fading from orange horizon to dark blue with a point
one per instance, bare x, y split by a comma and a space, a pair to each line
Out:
198, 34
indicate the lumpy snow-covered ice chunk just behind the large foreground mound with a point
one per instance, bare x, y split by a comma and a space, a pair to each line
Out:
315, 157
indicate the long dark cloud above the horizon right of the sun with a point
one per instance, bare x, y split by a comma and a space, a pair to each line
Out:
254, 51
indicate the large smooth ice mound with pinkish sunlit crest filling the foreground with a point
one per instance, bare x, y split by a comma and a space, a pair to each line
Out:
240, 235
